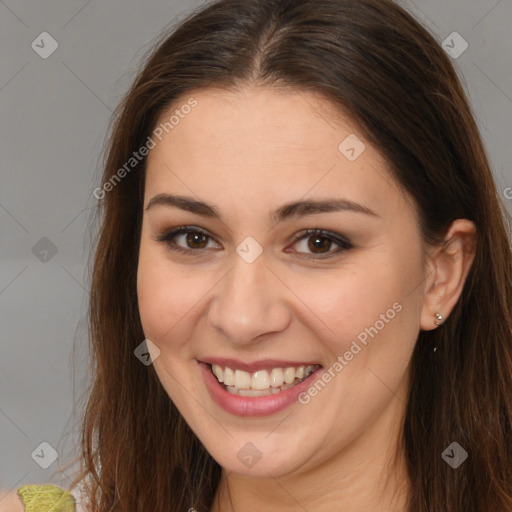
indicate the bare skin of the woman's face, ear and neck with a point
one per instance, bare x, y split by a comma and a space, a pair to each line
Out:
248, 152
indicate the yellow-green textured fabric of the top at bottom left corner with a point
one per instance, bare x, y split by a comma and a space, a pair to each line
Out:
46, 498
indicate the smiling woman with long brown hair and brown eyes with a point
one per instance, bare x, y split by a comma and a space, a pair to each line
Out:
301, 293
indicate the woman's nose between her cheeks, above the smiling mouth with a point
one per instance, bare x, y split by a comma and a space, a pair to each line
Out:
250, 301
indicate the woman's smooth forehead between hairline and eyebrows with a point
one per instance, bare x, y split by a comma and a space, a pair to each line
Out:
259, 146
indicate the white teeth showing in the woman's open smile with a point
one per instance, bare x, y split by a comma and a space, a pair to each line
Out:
261, 382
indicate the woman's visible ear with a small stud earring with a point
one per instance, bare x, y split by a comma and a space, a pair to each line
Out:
448, 267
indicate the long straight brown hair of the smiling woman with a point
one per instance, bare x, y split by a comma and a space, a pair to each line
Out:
372, 60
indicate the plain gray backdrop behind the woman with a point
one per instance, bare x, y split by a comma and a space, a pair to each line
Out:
54, 116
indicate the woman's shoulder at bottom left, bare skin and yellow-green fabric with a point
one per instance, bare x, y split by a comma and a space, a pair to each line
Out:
38, 498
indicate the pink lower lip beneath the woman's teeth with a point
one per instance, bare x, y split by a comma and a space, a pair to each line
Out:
253, 406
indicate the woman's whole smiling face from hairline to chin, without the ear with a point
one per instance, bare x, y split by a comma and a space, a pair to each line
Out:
256, 294
